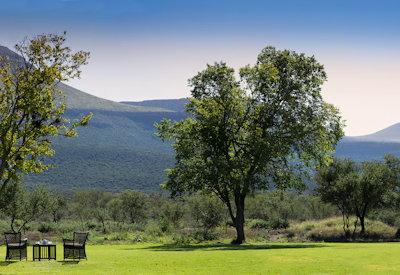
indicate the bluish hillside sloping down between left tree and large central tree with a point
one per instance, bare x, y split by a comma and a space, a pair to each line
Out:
118, 149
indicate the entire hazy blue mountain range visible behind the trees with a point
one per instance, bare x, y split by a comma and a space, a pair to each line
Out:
119, 150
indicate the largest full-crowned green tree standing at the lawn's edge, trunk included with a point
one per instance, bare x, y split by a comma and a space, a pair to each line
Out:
250, 133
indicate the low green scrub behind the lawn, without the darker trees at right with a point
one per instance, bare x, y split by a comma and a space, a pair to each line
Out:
141, 216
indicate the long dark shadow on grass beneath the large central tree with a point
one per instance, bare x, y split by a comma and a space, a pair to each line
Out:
175, 247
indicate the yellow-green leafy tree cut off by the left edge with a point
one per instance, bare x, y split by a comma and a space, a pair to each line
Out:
32, 107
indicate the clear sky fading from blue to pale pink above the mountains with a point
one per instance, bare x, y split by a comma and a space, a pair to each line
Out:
148, 49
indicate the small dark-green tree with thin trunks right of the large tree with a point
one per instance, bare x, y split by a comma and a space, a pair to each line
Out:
355, 188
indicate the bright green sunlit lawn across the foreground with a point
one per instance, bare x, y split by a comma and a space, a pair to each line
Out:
286, 258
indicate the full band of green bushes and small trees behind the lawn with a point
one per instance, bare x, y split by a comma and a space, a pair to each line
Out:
356, 191
